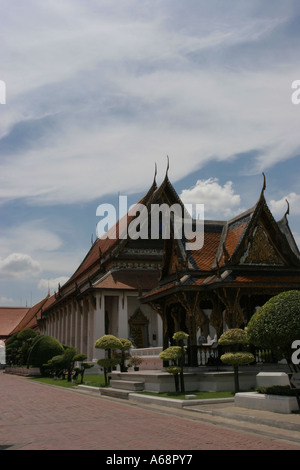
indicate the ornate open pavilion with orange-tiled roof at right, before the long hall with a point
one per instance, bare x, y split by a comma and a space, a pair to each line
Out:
244, 262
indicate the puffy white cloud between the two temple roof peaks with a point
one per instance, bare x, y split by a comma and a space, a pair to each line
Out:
218, 200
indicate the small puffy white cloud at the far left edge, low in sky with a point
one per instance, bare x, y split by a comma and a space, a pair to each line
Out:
18, 265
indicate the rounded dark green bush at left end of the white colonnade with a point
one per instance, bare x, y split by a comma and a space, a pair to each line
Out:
43, 349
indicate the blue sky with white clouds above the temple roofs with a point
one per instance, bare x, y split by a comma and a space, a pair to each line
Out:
97, 92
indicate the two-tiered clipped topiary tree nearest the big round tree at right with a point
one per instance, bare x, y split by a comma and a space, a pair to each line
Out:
235, 339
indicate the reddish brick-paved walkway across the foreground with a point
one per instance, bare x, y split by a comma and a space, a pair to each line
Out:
35, 416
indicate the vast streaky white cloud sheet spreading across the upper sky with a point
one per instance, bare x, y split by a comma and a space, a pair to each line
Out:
119, 86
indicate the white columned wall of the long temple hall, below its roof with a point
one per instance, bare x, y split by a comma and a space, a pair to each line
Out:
80, 323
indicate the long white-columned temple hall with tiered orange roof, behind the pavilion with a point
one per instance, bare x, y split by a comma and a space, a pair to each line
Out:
102, 296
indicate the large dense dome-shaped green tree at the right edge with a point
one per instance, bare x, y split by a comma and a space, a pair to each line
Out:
276, 325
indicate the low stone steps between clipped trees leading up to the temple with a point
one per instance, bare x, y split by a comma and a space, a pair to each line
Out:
123, 383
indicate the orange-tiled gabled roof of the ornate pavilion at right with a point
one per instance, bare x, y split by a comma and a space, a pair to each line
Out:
251, 250
